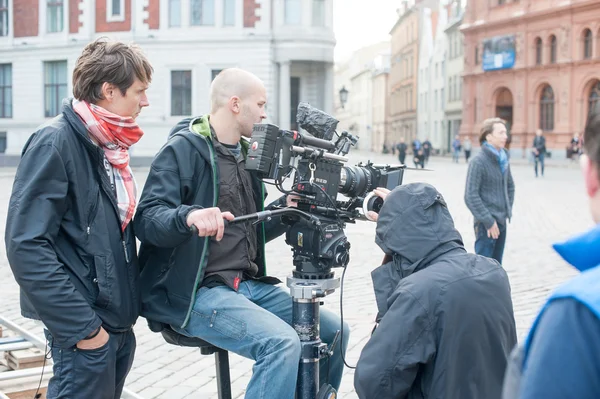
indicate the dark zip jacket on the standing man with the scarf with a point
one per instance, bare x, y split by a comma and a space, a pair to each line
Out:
76, 269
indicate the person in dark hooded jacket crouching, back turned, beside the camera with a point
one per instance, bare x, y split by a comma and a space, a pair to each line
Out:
445, 323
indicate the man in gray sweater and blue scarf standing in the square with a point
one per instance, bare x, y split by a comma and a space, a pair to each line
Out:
490, 190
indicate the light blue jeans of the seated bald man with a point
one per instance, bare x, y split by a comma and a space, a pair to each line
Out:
255, 322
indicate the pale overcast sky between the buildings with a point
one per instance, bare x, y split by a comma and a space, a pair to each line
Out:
358, 23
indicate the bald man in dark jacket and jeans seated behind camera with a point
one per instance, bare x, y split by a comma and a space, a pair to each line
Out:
212, 284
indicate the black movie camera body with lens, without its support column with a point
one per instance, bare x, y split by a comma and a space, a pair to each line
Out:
320, 175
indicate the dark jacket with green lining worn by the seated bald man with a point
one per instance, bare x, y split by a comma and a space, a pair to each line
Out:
184, 176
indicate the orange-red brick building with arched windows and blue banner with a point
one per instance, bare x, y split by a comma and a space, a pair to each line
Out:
534, 63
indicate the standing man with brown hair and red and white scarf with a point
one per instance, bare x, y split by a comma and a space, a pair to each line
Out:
69, 237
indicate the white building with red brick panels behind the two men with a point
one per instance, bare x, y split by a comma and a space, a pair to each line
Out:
287, 43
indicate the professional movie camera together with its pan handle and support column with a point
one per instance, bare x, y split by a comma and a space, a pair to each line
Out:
316, 232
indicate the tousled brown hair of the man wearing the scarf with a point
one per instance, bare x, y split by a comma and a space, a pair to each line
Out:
112, 62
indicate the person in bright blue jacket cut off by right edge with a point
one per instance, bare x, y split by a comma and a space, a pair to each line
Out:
560, 357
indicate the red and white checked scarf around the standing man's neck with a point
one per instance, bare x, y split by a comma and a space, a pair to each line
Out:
114, 134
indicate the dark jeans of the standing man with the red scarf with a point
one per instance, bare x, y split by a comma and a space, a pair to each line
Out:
97, 373
